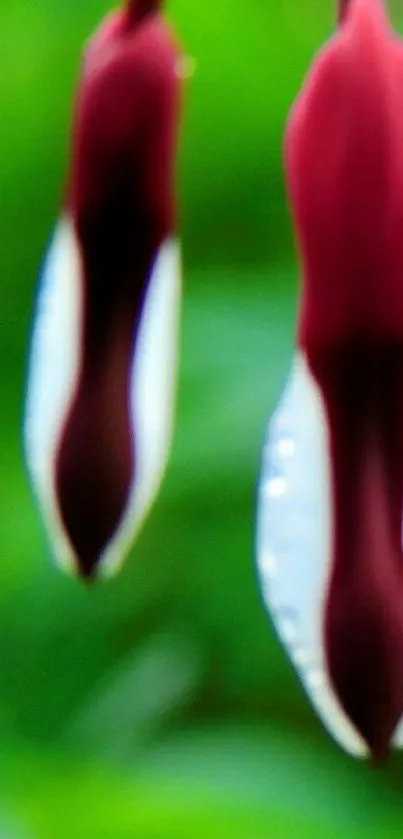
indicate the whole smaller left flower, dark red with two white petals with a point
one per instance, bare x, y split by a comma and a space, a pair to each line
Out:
102, 375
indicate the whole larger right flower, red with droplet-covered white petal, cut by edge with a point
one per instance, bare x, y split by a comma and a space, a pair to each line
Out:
331, 498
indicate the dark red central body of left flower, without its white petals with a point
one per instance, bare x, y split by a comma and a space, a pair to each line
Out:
122, 206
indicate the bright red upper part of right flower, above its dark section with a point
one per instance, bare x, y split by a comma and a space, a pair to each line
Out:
345, 165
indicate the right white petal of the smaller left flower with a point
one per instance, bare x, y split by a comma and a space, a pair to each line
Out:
153, 391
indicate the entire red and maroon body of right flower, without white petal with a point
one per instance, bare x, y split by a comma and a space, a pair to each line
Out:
345, 164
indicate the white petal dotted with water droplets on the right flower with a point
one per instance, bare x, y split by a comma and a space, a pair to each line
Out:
294, 541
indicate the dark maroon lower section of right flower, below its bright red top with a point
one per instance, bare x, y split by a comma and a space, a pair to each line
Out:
362, 387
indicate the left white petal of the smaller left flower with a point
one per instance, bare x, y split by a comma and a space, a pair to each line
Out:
52, 375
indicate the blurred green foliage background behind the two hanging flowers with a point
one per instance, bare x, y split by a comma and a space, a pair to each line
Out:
160, 705
